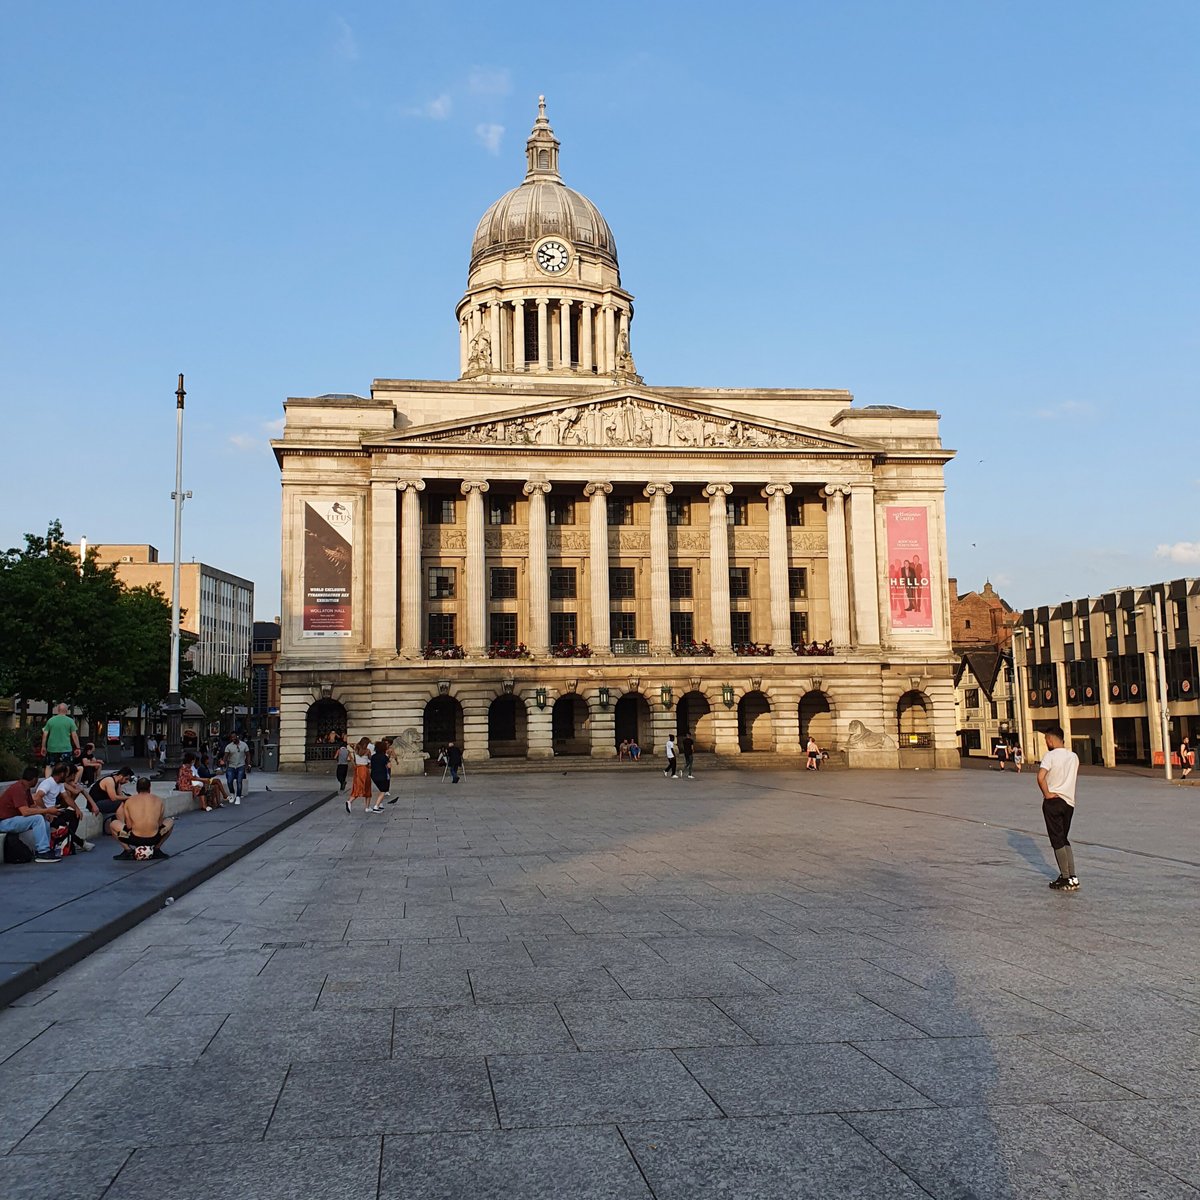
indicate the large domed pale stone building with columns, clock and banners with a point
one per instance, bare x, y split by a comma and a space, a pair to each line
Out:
548, 556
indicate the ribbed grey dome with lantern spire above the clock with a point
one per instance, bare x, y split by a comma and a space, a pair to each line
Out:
543, 206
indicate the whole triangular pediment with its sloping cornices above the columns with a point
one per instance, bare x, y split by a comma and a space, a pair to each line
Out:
628, 419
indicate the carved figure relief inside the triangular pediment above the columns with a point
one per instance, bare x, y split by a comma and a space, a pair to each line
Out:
627, 423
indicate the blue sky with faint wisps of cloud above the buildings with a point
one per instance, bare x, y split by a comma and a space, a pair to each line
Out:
987, 209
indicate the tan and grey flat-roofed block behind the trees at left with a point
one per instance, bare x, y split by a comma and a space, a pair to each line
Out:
217, 608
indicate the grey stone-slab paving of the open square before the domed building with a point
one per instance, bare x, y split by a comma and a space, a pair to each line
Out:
609, 985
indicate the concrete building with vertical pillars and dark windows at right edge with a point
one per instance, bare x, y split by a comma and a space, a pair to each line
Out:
1093, 667
